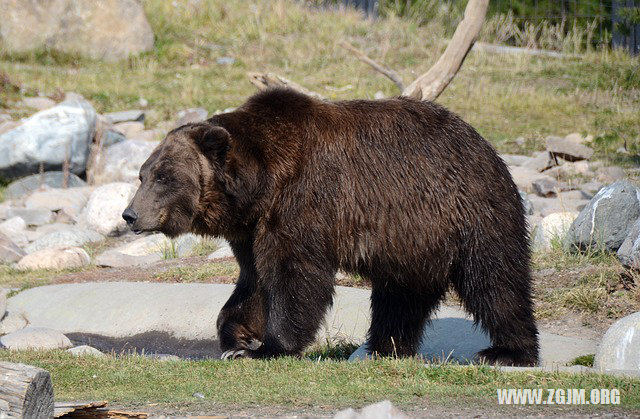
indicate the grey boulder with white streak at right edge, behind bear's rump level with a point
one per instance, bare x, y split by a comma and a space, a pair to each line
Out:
607, 220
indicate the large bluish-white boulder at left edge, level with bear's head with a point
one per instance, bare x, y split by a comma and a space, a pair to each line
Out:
49, 138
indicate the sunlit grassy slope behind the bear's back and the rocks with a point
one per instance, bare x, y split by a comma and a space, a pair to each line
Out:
503, 96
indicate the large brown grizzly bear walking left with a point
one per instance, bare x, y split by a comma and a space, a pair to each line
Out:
399, 191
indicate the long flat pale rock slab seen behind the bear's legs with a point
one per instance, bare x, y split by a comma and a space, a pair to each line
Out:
179, 319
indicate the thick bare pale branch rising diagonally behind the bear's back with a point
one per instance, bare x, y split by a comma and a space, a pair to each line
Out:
429, 85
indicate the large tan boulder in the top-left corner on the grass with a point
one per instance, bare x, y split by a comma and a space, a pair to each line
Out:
108, 29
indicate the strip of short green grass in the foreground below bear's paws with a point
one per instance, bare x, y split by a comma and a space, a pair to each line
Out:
302, 383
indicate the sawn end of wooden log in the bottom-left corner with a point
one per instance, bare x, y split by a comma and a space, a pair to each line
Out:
25, 391
